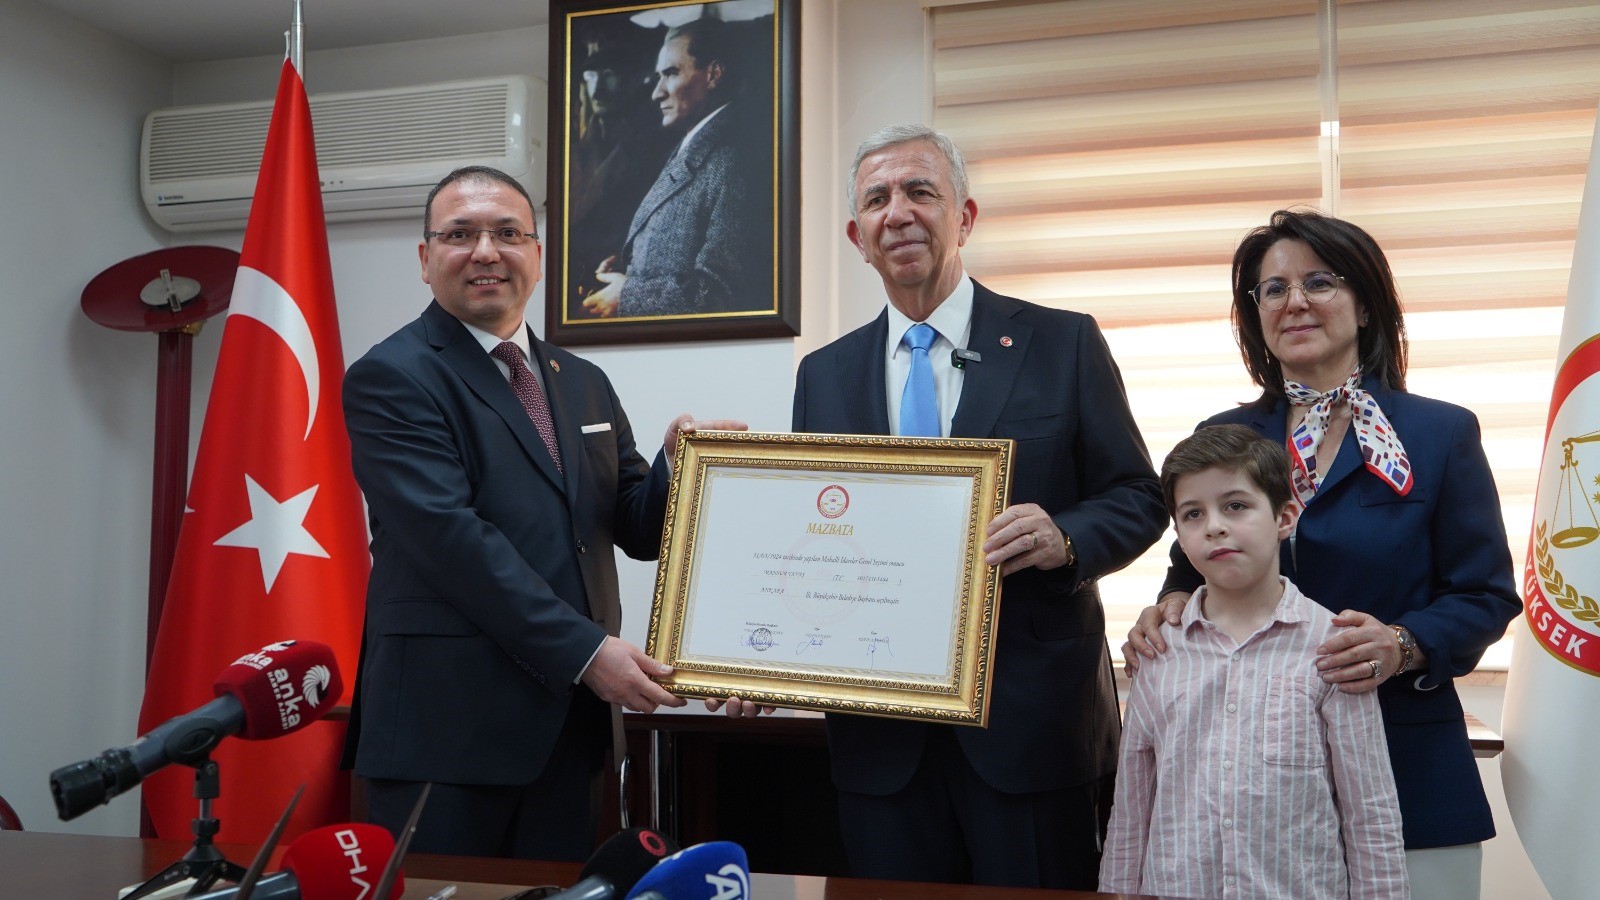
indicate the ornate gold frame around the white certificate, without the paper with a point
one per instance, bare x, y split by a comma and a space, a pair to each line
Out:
959, 697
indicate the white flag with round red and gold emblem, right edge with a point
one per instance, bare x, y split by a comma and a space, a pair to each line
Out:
1553, 697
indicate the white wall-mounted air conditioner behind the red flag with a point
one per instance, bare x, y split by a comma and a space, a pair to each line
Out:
378, 153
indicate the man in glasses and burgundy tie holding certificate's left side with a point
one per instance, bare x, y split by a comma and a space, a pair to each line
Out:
500, 473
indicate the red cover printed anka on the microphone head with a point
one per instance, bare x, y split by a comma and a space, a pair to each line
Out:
282, 688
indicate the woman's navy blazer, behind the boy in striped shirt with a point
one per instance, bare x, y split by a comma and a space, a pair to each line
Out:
1434, 561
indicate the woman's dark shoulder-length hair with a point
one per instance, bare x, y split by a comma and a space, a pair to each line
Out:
1354, 257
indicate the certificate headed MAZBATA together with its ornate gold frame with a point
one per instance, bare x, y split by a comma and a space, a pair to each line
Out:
833, 573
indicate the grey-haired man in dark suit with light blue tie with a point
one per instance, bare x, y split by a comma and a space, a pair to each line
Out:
1025, 802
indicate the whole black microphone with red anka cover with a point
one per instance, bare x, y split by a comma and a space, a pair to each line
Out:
263, 696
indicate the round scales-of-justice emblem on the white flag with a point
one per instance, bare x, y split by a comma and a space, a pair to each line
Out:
1562, 616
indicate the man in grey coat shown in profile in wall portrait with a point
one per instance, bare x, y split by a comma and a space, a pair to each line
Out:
702, 238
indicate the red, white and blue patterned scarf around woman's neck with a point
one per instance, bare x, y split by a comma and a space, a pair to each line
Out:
1380, 444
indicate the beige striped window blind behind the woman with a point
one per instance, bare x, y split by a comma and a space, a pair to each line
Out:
1119, 150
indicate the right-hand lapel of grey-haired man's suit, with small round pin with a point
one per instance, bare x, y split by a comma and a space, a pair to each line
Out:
988, 385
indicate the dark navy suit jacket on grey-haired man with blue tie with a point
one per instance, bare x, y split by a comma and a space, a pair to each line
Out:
1079, 456
